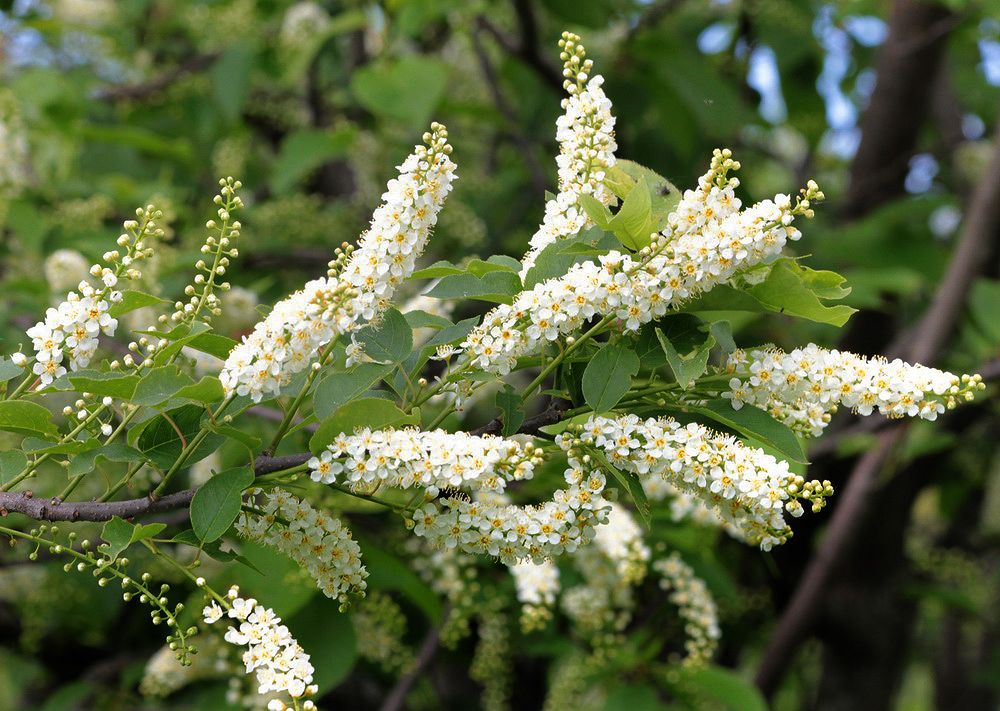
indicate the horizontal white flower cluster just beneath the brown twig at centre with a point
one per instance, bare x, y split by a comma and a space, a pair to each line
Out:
434, 460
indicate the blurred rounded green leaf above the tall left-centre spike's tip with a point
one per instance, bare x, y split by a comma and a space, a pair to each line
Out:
407, 90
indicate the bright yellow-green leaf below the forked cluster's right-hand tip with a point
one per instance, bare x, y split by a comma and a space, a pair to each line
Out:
796, 291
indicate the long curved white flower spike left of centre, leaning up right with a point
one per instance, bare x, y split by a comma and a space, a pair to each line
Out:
287, 341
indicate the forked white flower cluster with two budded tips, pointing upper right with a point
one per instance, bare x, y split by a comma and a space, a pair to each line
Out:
707, 242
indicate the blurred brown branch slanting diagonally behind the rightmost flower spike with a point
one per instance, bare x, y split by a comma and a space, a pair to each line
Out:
982, 225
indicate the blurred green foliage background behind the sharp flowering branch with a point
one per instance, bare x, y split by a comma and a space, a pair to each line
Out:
154, 100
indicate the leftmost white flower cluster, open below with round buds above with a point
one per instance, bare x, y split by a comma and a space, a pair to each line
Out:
70, 332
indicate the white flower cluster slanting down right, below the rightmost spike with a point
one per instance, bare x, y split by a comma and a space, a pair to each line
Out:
746, 486
